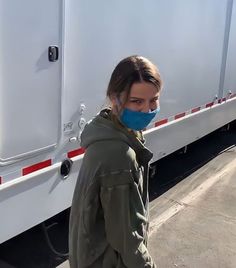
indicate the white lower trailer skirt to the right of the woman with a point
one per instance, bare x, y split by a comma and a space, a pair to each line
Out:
178, 133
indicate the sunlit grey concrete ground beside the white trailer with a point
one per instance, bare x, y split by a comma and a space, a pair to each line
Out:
193, 224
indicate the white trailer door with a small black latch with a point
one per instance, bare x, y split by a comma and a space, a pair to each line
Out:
30, 77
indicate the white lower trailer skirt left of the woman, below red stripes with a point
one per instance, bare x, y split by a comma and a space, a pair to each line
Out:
29, 200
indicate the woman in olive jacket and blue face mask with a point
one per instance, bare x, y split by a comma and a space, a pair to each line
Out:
109, 213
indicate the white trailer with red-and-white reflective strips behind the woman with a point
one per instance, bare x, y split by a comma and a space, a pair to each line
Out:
56, 58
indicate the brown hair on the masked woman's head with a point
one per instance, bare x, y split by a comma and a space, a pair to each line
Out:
133, 69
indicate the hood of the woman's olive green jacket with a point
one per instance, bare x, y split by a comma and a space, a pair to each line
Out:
102, 128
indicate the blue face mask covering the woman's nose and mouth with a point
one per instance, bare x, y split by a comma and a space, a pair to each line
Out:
137, 120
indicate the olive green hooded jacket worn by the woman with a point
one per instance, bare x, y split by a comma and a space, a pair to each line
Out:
109, 213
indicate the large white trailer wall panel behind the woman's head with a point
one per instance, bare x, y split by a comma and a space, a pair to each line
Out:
185, 40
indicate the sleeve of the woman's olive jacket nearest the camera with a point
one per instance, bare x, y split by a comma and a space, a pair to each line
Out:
124, 222
